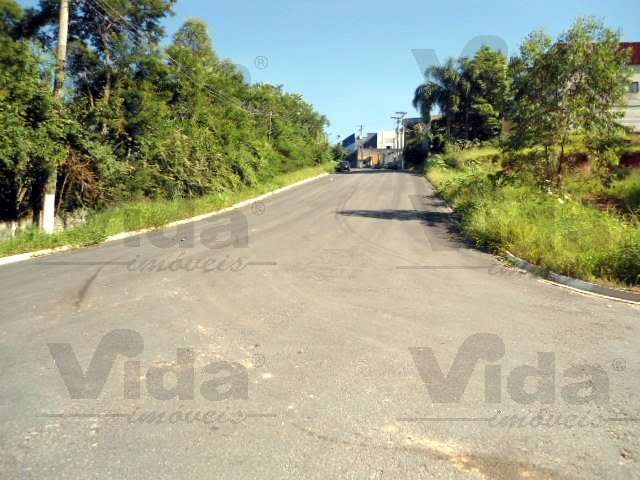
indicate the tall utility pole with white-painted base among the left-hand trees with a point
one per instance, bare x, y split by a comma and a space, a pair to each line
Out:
48, 214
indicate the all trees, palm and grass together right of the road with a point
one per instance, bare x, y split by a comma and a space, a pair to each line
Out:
549, 187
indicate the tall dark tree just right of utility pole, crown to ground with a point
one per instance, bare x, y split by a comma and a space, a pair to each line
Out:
114, 58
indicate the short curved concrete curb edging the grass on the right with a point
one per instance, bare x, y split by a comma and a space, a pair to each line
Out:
574, 283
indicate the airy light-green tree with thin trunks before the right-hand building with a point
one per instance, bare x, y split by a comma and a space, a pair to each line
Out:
569, 89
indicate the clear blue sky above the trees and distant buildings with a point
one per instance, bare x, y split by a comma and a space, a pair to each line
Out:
353, 58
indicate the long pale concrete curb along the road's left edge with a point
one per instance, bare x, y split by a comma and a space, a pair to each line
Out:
124, 235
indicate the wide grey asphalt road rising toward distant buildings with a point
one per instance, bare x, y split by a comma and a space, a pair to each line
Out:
312, 347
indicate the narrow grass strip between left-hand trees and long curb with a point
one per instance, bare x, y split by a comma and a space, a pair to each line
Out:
147, 214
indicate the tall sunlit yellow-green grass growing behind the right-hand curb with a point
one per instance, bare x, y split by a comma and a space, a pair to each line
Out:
561, 234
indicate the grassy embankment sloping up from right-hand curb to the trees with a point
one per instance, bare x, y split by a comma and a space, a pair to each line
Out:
587, 231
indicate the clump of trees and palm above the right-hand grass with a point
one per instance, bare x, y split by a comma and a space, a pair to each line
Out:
554, 95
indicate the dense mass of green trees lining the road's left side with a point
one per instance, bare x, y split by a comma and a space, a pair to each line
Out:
139, 121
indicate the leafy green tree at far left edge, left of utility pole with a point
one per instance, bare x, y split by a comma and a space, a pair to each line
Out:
29, 127
